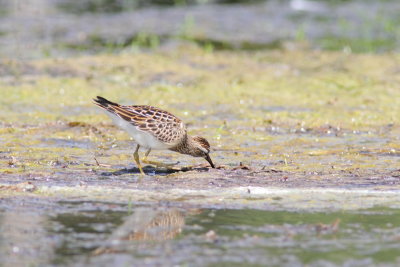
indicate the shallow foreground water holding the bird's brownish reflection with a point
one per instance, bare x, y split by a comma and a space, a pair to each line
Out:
99, 234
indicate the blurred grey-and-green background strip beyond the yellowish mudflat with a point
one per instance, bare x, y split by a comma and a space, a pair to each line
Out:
63, 27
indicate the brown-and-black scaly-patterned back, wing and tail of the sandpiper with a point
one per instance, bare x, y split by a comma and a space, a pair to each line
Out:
160, 123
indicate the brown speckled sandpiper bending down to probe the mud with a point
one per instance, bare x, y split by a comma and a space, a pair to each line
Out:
153, 128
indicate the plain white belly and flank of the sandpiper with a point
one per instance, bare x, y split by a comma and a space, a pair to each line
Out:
142, 138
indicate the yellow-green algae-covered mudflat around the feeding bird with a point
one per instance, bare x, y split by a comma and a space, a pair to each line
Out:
294, 118
